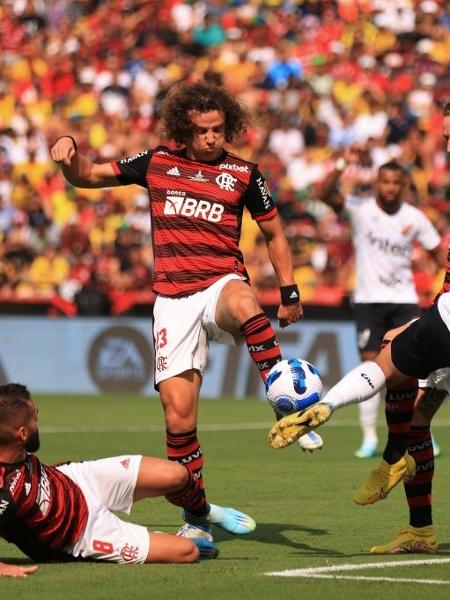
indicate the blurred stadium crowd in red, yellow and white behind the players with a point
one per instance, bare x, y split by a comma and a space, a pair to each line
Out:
317, 77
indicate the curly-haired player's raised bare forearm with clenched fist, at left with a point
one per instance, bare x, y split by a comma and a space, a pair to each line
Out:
78, 169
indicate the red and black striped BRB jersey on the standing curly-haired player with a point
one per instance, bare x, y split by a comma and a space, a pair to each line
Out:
196, 212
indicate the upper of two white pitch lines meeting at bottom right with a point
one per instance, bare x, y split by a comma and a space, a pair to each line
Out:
324, 572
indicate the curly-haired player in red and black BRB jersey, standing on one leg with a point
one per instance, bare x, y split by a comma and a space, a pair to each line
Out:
198, 193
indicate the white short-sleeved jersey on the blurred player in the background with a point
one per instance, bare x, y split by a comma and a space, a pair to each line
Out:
383, 245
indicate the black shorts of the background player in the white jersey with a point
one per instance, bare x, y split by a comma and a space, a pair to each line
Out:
375, 319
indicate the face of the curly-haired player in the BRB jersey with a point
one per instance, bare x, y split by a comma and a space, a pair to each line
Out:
208, 136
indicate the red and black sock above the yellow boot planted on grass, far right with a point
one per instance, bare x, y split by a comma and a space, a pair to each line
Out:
418, 488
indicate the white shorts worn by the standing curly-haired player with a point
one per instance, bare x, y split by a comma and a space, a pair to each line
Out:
183, 327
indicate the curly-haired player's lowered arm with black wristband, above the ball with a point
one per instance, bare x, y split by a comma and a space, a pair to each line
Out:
280, 256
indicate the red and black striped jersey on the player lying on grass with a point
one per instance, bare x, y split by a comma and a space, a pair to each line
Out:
42, 511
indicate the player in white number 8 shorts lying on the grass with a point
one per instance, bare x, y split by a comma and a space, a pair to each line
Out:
64, 512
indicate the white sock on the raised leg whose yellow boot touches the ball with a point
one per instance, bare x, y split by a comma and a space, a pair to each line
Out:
360, 384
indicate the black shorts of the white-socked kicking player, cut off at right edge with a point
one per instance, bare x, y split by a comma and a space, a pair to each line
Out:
423, 347
